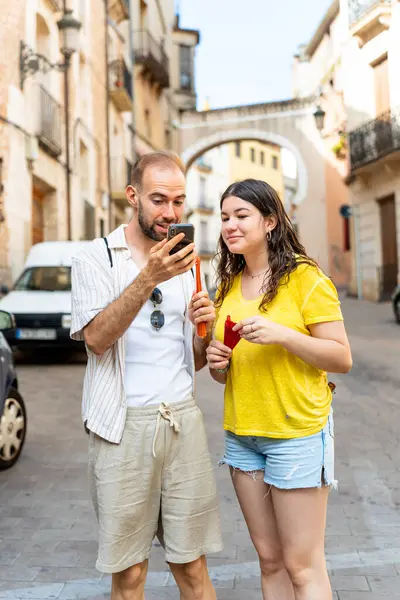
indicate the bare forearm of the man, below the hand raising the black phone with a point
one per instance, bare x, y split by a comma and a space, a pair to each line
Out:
109, 325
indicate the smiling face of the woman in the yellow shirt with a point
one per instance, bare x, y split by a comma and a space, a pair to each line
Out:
243, 229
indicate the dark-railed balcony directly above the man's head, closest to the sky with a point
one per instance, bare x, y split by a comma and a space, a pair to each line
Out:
152, 57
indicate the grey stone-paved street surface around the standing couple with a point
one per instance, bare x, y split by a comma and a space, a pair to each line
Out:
47, 526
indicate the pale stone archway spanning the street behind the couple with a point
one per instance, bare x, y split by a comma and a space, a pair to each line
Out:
289, 124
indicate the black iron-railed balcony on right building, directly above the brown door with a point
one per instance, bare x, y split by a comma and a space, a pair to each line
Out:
375, 139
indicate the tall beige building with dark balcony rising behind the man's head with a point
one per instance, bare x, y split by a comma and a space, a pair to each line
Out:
162, 67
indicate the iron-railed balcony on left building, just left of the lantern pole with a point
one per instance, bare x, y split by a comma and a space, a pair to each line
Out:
48, 122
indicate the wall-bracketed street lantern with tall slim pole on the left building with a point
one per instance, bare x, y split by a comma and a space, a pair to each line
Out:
31, 62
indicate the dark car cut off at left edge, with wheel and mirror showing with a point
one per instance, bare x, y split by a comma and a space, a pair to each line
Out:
13, 419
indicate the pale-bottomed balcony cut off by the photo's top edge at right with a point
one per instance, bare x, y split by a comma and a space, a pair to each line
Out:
368, 18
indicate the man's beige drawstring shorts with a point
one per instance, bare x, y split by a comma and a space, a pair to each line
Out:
158, 481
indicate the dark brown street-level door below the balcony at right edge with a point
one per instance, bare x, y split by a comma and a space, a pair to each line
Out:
388, 279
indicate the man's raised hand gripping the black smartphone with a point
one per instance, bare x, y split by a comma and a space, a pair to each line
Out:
162, 266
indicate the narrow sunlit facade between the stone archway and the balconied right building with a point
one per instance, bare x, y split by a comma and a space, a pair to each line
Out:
318, 71
